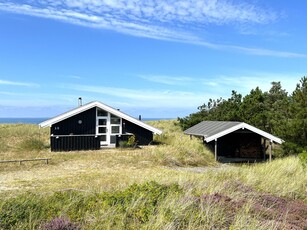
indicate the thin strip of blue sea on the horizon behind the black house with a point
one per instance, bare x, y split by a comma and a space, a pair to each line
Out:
37, 120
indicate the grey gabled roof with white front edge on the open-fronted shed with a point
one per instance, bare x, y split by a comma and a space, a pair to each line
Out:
212, 130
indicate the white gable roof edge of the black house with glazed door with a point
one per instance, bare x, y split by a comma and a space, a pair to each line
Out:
102, 106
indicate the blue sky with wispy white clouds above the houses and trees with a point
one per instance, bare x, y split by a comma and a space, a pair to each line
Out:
157, 58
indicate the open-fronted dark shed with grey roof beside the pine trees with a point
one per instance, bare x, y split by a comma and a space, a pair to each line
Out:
234, 141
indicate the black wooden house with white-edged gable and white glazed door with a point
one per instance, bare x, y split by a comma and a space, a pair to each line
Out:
95, 125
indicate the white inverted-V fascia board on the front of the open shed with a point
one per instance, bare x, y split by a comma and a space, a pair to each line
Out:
245, 126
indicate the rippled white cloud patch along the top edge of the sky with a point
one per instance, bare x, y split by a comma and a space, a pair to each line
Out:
163, 11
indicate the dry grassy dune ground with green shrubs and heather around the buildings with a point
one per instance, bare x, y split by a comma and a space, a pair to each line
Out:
173, 185
